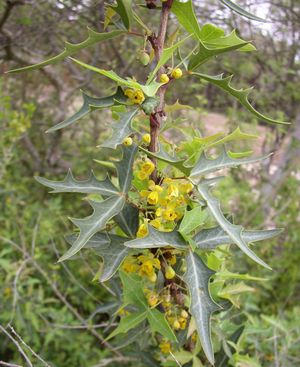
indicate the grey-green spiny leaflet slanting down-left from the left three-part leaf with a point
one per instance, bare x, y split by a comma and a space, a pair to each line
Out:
103, 212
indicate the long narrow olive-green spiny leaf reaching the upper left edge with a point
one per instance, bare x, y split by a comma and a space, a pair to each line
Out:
71, 49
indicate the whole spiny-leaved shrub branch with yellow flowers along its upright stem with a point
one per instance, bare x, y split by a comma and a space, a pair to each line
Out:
156, 223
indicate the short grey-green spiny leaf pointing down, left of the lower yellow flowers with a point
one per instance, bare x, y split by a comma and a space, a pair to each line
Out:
113, 256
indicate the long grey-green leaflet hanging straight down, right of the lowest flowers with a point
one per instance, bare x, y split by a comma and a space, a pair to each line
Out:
202, 306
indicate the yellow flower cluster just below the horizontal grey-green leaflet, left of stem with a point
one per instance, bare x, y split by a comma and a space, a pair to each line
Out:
144, 265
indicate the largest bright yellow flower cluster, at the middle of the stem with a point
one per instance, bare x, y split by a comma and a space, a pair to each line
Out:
168, 202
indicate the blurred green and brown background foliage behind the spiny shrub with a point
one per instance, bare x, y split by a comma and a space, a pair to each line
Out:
60, 311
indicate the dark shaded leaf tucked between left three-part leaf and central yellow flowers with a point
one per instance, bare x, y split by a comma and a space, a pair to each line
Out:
128, 220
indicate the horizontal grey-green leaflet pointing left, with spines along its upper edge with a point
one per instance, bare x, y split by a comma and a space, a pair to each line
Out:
90, 186
